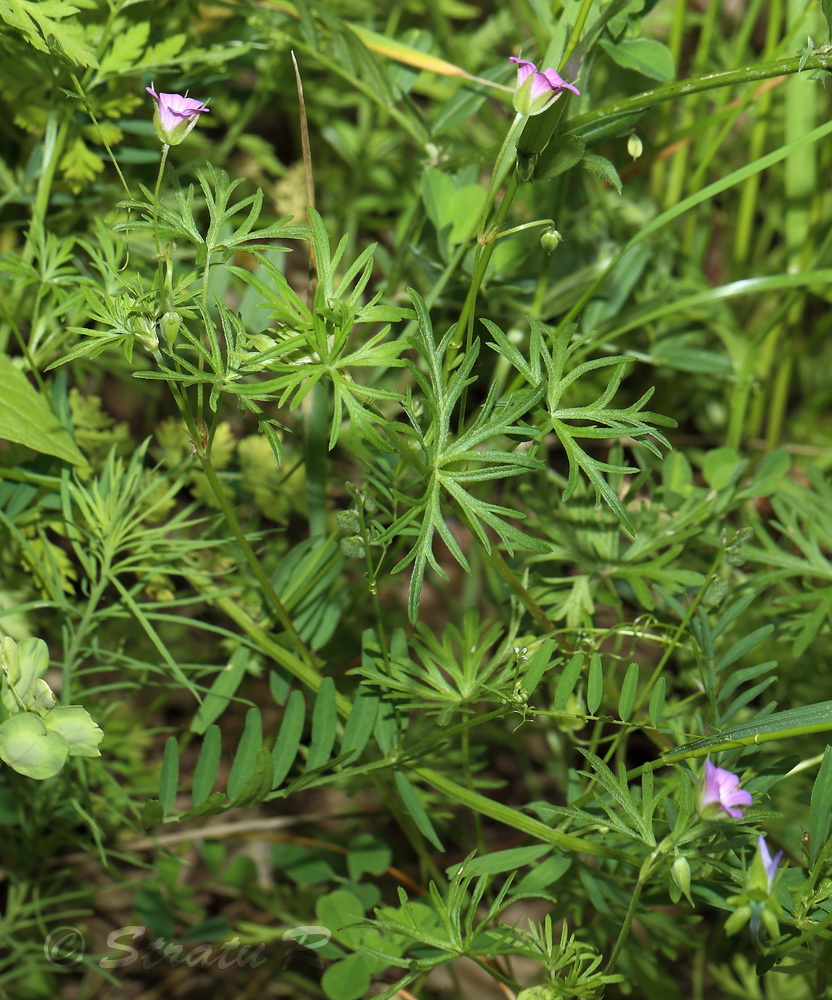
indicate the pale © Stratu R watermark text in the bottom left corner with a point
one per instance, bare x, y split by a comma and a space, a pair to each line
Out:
65, 947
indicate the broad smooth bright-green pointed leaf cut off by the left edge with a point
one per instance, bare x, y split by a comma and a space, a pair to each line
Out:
27, 418
